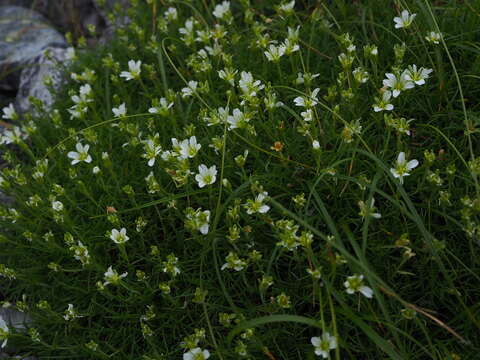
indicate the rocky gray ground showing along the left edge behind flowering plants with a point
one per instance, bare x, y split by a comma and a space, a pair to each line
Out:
32, 44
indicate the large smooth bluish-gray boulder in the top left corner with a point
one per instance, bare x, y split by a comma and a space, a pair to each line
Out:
24, 33
